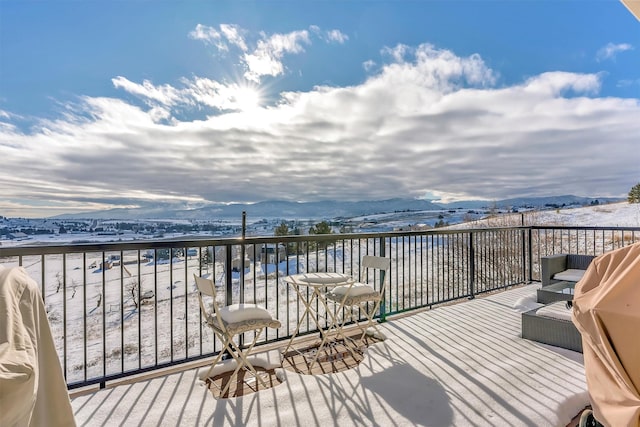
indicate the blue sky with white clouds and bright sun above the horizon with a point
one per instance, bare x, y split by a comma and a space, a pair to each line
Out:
121, 104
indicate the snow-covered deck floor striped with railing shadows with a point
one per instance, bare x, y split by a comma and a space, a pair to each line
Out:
458, 365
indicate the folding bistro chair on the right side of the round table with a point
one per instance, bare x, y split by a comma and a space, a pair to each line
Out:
363, 295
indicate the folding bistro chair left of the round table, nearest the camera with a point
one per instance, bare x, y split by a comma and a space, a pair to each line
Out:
231, 320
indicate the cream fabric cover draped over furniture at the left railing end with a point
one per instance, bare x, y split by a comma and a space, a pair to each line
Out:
33, 391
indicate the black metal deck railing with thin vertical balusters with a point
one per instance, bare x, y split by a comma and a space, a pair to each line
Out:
120, 309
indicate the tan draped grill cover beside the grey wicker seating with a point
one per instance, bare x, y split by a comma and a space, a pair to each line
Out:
606, 311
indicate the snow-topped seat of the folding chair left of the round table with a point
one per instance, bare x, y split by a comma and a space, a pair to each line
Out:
240, 318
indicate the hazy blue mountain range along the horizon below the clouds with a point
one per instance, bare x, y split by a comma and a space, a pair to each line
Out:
327, 209
